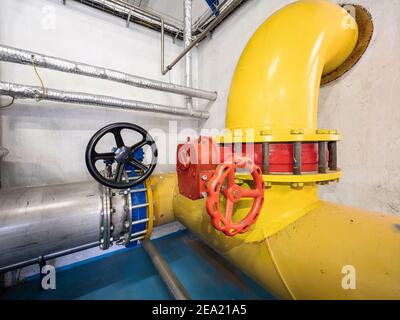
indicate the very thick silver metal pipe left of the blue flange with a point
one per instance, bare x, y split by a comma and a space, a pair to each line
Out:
37, 221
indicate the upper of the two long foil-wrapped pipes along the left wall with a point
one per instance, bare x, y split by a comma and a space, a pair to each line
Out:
20, 56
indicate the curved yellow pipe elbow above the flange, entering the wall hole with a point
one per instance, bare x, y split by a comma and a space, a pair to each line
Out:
276, 83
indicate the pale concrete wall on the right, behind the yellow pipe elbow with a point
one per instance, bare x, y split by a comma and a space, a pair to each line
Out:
363, 104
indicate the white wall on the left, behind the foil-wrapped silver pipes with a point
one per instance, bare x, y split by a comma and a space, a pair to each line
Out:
47, 140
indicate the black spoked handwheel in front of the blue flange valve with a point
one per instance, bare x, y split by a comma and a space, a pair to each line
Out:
122, 156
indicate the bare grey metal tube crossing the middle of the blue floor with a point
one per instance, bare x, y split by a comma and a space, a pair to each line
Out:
173, 284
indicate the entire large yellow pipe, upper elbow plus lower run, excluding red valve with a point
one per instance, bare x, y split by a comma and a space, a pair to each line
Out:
300, 247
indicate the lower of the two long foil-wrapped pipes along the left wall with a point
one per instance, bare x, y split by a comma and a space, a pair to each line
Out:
20, 91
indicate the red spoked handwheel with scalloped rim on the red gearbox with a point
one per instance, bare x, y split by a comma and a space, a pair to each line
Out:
233, 193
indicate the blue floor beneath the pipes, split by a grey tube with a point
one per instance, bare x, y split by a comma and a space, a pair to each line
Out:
129, 274
